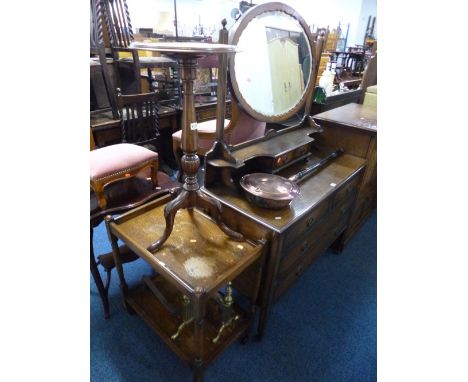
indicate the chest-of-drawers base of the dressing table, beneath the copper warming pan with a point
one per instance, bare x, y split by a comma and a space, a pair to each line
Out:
297, 234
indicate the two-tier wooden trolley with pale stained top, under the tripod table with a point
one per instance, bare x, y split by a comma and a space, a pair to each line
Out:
182, 303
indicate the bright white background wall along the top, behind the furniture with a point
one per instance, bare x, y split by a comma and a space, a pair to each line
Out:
159, 15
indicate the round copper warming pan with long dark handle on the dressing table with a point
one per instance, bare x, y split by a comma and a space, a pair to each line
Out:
274, 191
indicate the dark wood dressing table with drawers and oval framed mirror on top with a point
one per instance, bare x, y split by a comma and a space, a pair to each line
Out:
314, 220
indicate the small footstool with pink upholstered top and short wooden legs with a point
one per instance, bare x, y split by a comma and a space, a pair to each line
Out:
116, 162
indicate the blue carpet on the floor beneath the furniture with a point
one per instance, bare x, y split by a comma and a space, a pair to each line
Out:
323, 328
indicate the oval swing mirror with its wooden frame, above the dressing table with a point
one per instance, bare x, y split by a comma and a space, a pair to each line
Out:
271, 74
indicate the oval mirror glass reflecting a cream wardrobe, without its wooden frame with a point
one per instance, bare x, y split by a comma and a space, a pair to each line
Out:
273, 65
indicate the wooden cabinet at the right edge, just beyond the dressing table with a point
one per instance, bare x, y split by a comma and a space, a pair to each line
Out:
354, 127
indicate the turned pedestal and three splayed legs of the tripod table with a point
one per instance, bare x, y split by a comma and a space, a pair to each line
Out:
191, 196
